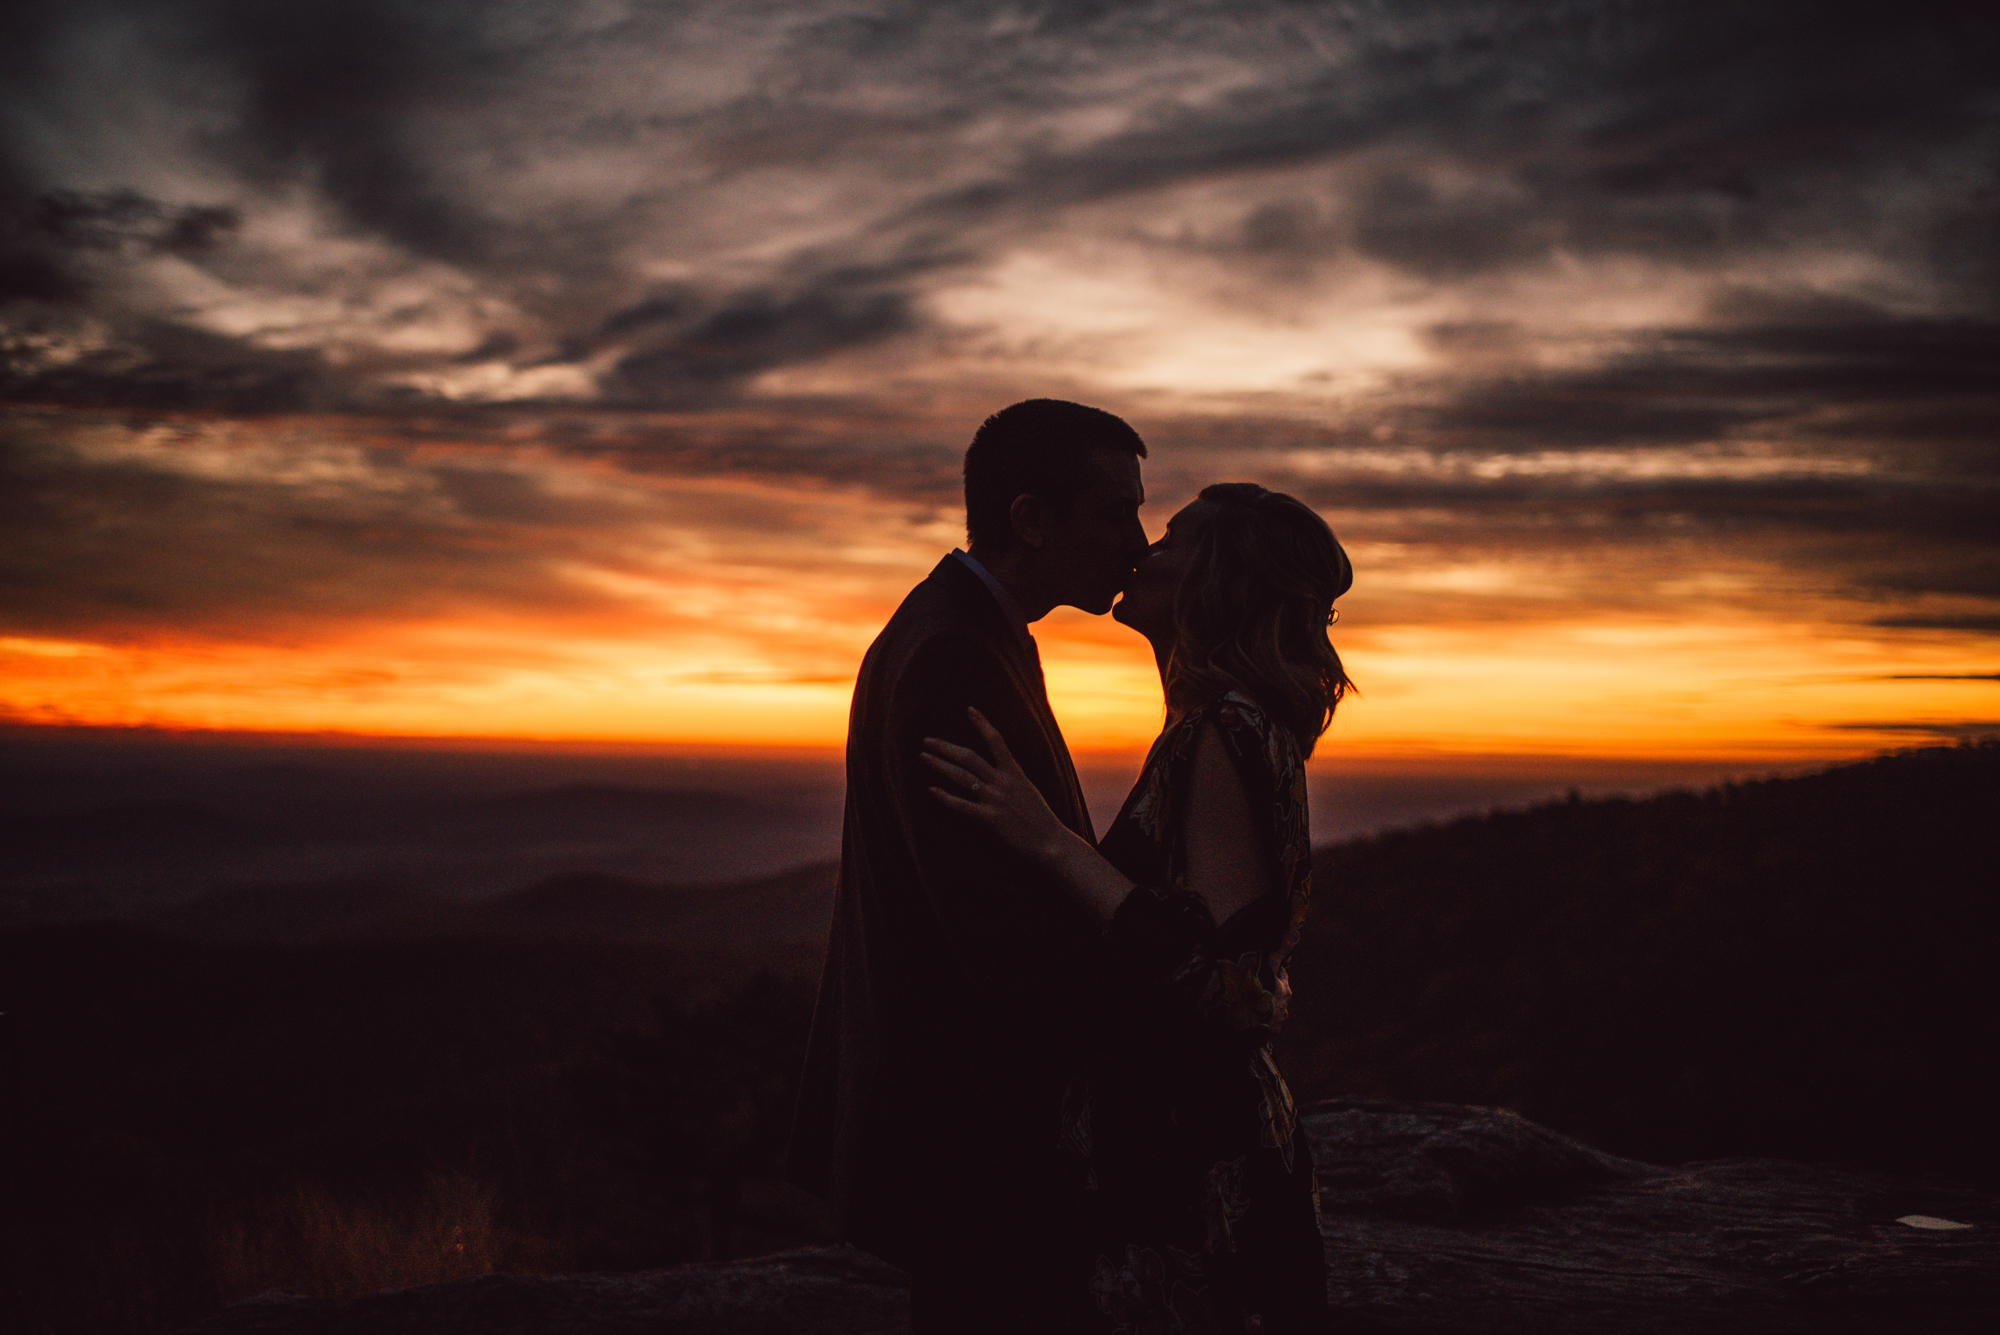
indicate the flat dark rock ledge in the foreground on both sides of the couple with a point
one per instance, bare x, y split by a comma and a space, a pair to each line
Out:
1439, 1220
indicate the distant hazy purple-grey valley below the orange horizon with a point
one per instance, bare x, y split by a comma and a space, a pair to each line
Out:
261, 840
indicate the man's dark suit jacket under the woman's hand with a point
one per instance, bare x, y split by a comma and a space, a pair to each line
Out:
961, 982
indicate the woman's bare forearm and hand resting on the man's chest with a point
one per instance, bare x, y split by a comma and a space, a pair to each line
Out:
1001, 796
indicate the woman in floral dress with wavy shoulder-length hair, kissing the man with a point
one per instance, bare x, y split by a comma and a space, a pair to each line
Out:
1203, 1196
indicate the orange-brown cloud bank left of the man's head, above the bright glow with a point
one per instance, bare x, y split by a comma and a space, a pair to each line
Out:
131, 529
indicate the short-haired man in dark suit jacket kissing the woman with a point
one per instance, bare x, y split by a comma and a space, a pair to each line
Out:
959, 988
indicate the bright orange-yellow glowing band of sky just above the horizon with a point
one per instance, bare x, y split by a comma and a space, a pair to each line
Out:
1743, 692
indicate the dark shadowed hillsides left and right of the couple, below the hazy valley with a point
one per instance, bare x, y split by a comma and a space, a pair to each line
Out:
343, 1092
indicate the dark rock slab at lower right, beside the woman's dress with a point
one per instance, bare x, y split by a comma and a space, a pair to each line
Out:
1445, 1218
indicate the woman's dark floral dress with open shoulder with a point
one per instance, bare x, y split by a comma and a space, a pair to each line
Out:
1201, 1182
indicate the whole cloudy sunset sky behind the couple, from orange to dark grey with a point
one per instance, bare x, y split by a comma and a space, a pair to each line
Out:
601, 371
